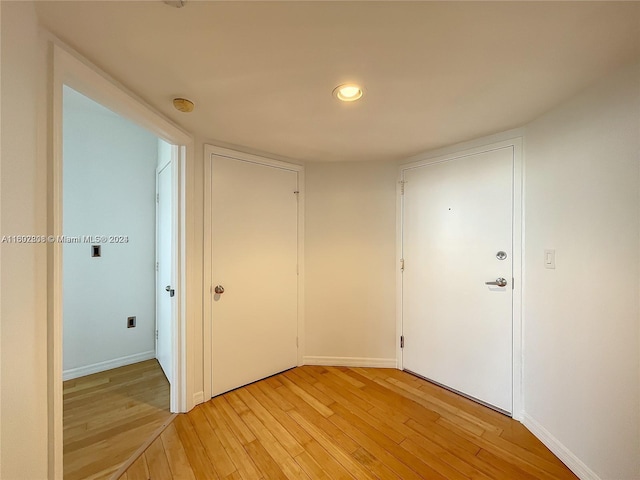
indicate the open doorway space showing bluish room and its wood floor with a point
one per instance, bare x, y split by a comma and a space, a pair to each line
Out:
116, 242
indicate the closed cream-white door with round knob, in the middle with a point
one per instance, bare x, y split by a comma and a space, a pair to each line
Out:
254, 257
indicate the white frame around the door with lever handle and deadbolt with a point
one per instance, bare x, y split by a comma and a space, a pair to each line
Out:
512, 138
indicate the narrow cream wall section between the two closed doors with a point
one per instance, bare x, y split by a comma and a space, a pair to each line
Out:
350, 223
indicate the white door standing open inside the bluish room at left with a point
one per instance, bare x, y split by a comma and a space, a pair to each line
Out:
164, 286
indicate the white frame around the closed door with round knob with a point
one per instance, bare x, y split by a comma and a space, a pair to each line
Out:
209, 152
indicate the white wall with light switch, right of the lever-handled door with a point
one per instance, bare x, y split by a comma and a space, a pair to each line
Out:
582, 372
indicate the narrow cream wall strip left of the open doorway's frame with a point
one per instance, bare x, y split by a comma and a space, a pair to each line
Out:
23, 362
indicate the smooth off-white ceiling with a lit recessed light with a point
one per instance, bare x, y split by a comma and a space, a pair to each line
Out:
435, 73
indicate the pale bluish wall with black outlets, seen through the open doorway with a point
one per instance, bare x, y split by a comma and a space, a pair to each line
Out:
109, 170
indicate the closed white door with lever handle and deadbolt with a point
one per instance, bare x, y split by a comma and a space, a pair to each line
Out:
457, 235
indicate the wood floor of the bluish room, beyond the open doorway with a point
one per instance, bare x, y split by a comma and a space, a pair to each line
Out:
109, 415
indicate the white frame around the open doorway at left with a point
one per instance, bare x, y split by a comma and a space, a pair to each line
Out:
71, 69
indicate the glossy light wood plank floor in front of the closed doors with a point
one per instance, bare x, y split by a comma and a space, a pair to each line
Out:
345, 423
